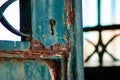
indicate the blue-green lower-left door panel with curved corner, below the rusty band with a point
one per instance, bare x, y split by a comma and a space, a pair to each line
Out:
27, 70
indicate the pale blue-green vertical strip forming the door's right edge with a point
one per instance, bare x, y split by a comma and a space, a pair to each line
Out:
78, 44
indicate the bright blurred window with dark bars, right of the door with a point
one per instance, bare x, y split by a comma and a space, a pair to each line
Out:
101, 26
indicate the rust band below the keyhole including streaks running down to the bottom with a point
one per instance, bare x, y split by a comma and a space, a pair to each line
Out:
38, 50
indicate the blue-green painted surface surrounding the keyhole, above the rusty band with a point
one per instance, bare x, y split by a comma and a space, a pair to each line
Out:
42, 12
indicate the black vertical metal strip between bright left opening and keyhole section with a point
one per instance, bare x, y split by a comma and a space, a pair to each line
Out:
25, 18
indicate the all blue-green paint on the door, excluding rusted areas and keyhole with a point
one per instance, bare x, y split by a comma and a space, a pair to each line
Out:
42, 11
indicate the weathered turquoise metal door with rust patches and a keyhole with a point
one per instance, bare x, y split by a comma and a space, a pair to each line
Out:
53, 49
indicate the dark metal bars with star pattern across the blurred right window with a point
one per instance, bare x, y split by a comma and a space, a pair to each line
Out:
100, 47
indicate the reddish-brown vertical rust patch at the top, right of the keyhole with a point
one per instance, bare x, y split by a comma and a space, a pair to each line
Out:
70, 13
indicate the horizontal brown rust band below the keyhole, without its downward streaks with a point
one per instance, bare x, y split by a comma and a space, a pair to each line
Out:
37, 50
